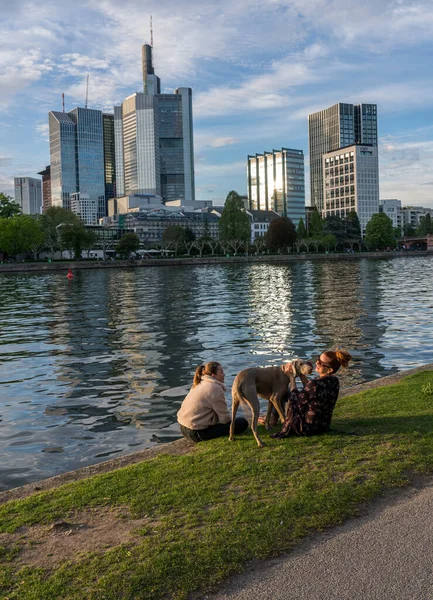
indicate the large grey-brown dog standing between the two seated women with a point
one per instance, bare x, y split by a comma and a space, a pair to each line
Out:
270, 383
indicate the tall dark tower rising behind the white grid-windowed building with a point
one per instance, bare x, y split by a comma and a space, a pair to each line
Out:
336, 127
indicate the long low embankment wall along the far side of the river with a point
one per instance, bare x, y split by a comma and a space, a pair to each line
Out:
206, 260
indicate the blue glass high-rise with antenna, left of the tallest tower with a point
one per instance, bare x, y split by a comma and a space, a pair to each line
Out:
77, 157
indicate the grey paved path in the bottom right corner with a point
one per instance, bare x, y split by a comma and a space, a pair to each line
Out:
384, 555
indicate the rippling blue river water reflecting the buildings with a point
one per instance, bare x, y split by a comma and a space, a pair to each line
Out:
89, 367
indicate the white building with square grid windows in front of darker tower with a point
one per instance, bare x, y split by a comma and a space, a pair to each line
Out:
351, 183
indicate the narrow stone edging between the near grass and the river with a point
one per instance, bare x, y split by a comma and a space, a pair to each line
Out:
177, 447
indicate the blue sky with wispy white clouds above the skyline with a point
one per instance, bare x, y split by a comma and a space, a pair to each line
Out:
257, 69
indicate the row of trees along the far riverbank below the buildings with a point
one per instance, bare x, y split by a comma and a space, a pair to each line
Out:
59, 229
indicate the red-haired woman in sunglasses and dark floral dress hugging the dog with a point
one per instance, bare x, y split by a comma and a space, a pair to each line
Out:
309, 410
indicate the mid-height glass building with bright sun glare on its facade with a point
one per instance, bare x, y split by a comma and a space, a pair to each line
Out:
276, 182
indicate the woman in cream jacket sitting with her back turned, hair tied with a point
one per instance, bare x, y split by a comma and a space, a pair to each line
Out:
204, 414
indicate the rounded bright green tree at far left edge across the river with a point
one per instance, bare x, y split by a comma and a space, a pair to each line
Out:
20, 234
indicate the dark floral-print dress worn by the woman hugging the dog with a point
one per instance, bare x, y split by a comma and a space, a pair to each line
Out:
309, 410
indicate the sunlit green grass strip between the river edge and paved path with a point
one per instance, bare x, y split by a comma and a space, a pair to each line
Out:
210, 512
